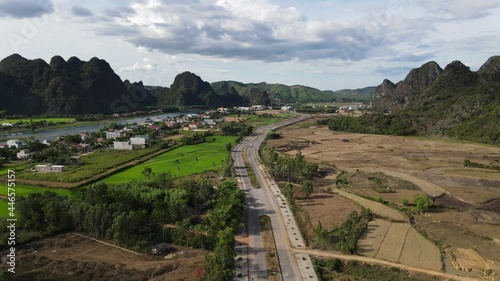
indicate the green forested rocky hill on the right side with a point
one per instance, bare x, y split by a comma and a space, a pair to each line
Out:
457, 103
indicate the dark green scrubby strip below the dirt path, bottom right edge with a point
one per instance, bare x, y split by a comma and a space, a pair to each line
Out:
335, 269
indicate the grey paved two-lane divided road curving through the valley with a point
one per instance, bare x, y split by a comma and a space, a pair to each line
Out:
267, 200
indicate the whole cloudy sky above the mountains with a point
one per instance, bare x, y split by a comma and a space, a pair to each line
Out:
329, 45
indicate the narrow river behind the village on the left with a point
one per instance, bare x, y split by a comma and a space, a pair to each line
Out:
52, 134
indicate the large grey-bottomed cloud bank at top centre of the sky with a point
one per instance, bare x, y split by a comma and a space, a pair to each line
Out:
248, 30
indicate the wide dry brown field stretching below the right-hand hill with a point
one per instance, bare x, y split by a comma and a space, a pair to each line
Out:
420, 161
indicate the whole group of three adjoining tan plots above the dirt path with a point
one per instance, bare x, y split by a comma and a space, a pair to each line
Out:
399, 242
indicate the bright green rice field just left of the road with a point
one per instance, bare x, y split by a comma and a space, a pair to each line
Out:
183, 161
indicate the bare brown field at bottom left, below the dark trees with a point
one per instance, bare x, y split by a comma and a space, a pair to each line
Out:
71, 257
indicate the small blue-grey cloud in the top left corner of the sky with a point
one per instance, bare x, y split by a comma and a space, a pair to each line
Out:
26, 8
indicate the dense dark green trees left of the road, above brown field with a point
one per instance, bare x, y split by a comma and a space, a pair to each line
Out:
136, 215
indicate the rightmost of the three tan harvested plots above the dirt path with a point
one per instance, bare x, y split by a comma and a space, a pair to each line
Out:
421, 251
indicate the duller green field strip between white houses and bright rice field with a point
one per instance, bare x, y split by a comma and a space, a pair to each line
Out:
93, 164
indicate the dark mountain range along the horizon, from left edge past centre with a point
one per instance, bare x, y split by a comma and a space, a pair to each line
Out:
60, 87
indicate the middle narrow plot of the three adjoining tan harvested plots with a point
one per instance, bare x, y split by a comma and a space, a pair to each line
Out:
393, 243
